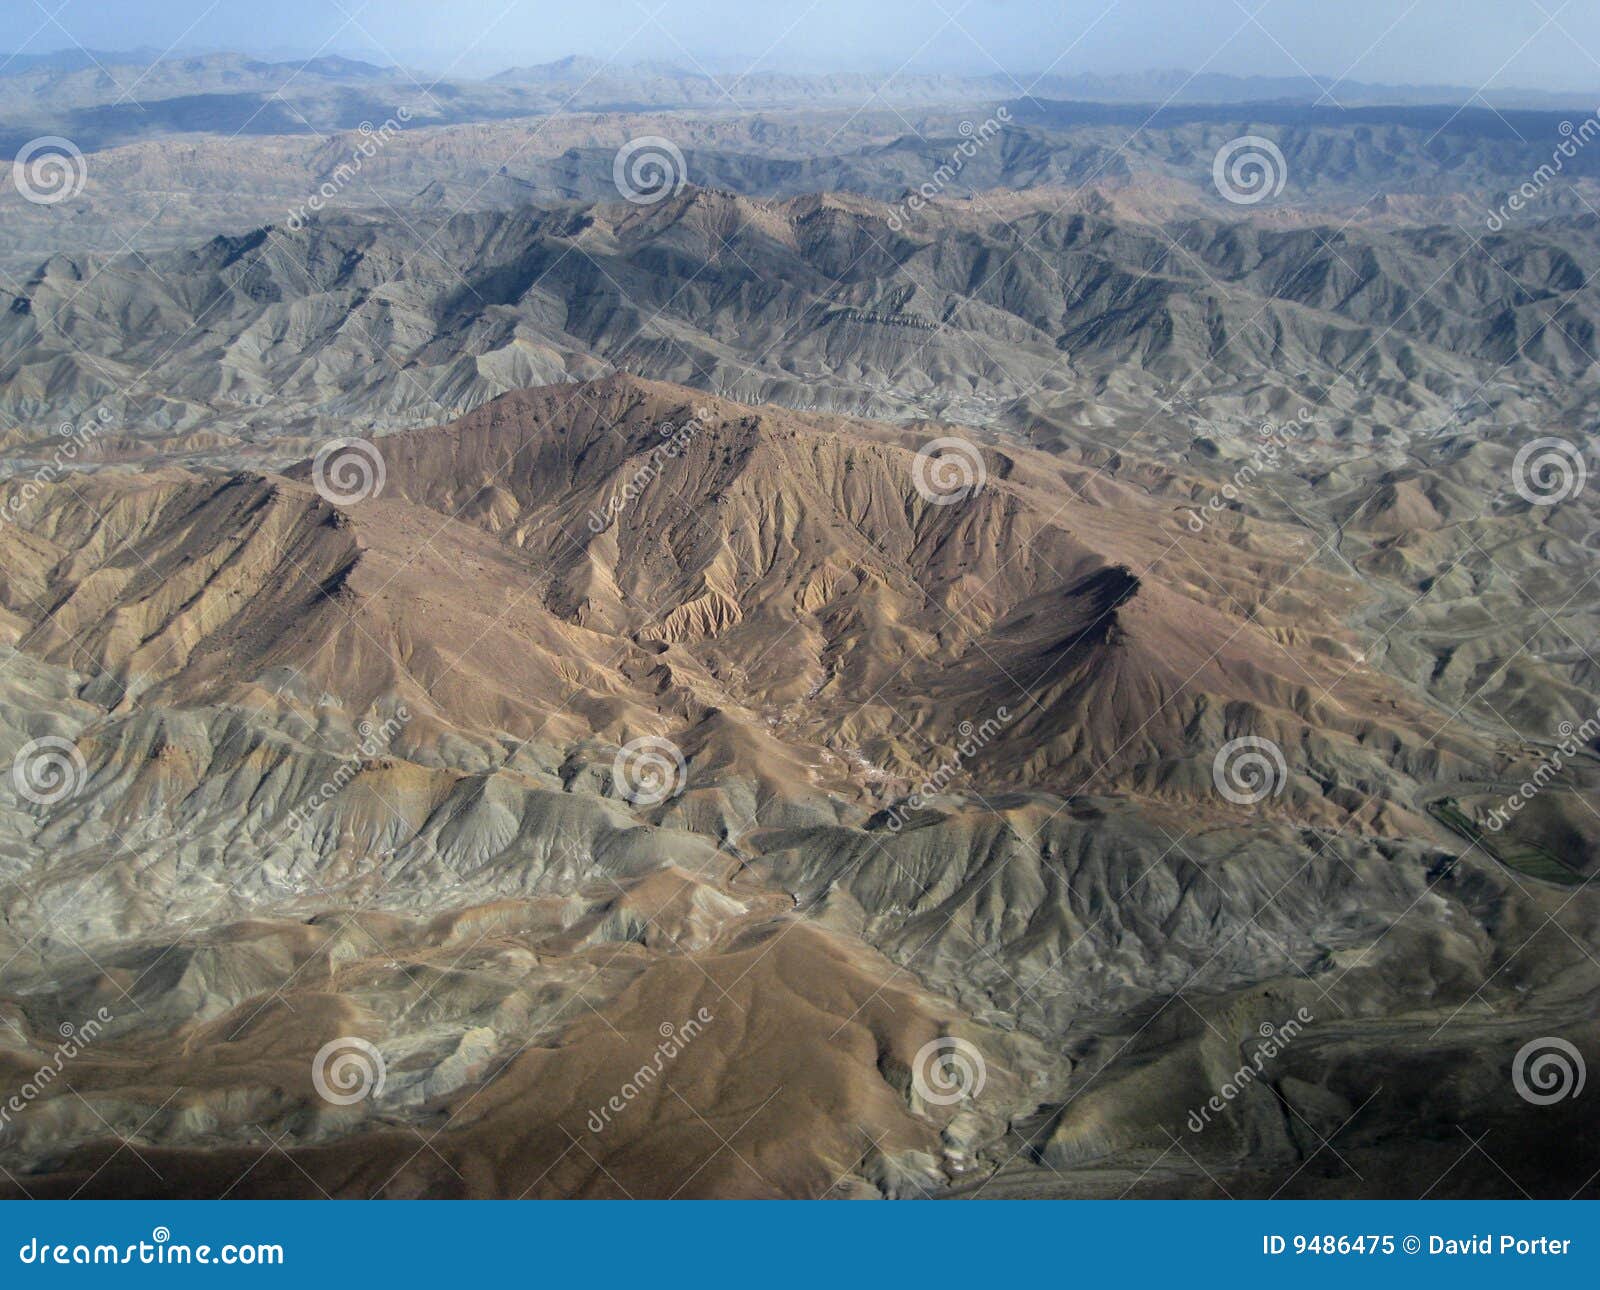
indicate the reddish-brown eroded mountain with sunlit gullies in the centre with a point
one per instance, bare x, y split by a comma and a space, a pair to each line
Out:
628, 558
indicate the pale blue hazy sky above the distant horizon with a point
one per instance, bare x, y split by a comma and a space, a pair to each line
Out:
1540, 44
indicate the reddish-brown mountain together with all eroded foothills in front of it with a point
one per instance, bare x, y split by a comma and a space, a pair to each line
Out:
337, 710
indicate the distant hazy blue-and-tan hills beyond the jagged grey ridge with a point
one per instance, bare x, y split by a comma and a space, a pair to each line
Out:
210, 164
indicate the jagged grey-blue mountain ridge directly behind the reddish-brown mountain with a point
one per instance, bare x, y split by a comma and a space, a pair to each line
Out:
815, 302
